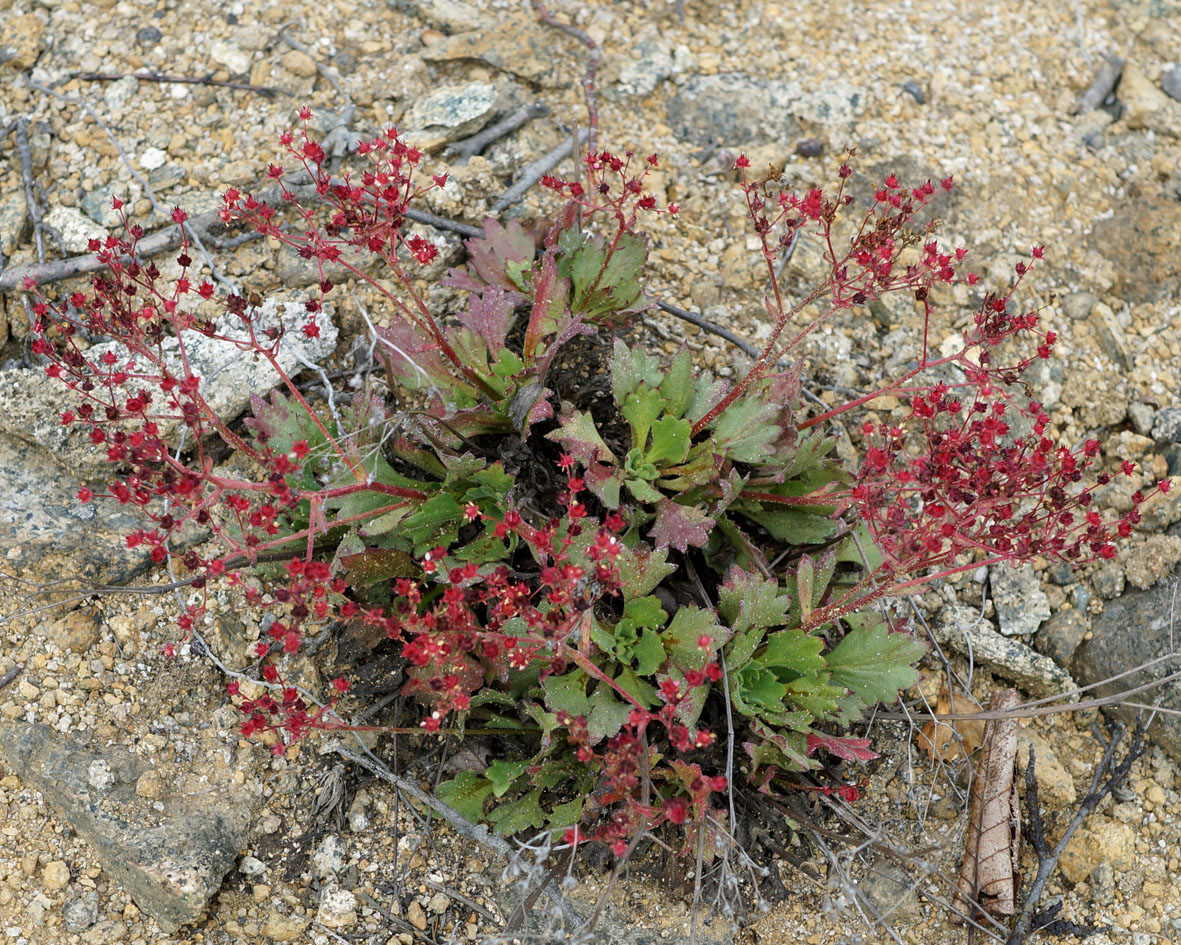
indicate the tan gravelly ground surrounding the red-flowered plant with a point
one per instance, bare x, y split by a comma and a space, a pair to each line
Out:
986, 93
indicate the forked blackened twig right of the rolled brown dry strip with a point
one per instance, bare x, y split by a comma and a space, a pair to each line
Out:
1047, 858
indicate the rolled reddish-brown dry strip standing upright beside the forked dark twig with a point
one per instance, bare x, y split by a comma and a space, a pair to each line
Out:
989, 877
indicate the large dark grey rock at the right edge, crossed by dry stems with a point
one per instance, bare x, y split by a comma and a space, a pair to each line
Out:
1134, 629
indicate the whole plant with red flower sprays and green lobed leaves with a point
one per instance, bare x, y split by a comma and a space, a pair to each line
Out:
649, 585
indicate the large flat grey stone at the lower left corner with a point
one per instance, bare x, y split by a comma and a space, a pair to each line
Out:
171, 862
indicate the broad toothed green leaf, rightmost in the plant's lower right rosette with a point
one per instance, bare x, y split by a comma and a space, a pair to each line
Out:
872, 662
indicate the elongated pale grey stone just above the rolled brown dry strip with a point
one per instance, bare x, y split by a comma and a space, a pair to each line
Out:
963, 630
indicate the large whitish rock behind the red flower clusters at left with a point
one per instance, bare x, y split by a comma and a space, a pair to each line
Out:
31, 405
